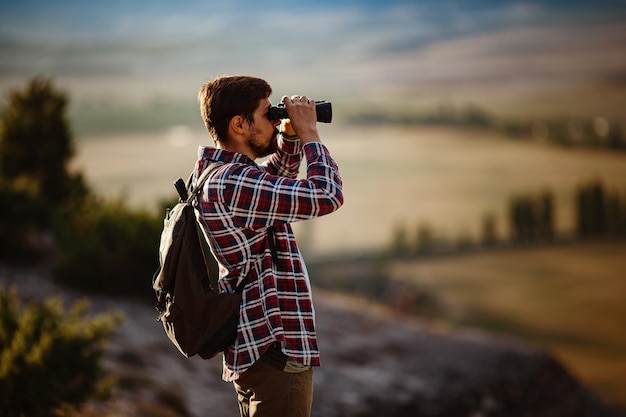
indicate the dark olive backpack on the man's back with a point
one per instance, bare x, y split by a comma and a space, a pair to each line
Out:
195, 316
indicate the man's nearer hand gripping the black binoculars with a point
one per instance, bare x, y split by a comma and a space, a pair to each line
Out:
302, 119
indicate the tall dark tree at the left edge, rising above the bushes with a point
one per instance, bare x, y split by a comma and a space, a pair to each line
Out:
35, 183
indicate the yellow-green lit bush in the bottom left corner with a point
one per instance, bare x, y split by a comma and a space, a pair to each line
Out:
50, 360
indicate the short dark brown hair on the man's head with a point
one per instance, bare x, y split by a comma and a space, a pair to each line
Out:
227, 97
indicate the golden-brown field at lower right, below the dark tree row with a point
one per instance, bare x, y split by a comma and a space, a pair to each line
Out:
569, 299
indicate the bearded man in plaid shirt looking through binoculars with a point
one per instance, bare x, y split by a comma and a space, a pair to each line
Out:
246, 210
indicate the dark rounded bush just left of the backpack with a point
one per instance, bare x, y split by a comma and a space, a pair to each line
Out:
107, 247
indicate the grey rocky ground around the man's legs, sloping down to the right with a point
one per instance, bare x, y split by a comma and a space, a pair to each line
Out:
375, 363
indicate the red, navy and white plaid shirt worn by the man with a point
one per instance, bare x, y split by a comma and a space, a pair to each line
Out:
239, 202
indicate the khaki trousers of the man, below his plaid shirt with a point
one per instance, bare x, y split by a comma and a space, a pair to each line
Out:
265, 391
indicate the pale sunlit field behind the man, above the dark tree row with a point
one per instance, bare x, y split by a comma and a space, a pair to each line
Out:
393, 177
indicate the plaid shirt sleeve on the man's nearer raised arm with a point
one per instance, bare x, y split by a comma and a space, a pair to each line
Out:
257, 198
